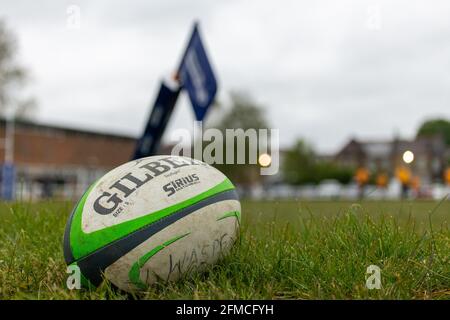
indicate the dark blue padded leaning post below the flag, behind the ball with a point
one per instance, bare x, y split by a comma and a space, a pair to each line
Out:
148, 144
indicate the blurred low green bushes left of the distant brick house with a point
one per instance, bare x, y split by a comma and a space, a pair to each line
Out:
301, 167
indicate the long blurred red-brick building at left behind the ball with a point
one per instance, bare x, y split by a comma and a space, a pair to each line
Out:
53, 161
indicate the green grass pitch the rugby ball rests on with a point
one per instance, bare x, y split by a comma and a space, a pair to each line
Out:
287, 250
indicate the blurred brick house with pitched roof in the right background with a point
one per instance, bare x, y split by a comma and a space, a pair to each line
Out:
430, 156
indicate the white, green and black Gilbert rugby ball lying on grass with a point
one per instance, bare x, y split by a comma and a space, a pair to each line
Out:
152, 220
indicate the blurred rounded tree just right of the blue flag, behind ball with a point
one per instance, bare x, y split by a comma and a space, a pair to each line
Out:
242, 113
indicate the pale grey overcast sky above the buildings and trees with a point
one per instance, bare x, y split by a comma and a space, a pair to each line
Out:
325, 70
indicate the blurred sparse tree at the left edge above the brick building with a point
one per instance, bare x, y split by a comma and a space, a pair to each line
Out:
12, 78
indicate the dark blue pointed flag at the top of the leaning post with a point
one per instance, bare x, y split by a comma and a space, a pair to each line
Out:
196, 76
